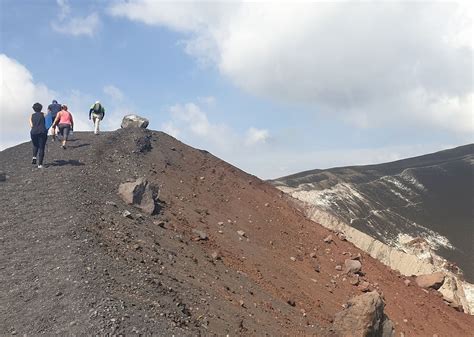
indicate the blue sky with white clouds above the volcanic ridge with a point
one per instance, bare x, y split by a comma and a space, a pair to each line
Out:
273, 87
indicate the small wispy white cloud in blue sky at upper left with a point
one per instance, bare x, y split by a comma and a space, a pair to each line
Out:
75, 26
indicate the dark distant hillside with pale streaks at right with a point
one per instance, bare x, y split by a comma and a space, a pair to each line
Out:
430, 196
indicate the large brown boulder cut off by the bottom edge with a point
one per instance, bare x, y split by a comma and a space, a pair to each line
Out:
364, 317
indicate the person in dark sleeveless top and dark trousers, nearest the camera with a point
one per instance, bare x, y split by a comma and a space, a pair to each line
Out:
39, 134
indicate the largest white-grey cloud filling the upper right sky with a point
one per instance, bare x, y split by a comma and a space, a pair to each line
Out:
368, 63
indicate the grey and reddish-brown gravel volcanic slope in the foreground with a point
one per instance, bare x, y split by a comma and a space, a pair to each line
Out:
71, 263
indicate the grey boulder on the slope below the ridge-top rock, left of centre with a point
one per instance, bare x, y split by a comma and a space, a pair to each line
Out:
139, 194
